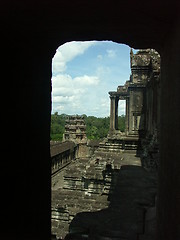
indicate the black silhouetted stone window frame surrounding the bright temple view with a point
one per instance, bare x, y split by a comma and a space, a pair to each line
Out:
31, 32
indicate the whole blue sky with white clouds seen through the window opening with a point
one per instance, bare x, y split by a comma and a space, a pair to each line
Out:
84, 73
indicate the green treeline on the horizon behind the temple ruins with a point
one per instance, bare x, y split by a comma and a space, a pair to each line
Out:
96, 128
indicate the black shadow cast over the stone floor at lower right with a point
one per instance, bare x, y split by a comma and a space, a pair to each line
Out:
133, 193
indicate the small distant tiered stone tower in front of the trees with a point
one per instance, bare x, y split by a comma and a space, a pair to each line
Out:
75, 129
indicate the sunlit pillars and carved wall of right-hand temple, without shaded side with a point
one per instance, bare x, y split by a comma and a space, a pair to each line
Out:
145, 69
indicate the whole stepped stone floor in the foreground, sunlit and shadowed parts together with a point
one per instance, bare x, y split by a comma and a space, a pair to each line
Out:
82, 205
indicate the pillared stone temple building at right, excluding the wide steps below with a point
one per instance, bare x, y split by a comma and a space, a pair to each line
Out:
141, 93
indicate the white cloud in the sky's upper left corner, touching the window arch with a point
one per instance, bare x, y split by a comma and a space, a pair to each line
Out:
67, 52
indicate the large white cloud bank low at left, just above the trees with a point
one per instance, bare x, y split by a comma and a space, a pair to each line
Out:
70, 94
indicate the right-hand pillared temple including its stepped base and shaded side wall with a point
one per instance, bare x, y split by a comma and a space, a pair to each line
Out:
141, 93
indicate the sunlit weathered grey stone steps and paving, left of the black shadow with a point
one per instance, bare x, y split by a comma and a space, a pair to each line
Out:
87, 186
